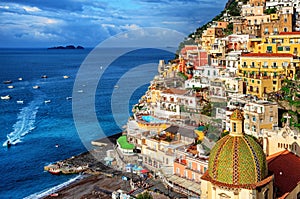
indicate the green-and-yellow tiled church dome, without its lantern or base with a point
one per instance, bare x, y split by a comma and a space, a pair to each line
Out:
238, 161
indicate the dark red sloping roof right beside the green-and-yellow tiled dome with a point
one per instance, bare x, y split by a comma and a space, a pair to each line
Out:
285, 166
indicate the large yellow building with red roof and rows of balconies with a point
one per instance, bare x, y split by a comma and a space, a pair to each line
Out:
265, 72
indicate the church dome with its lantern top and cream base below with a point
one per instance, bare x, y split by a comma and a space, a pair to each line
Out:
237, 167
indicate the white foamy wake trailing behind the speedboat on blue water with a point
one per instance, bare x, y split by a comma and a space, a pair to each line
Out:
24, 124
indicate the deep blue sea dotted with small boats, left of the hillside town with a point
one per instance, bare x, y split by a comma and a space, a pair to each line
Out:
40, 123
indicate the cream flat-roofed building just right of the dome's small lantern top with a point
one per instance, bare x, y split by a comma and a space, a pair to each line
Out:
260, 115
